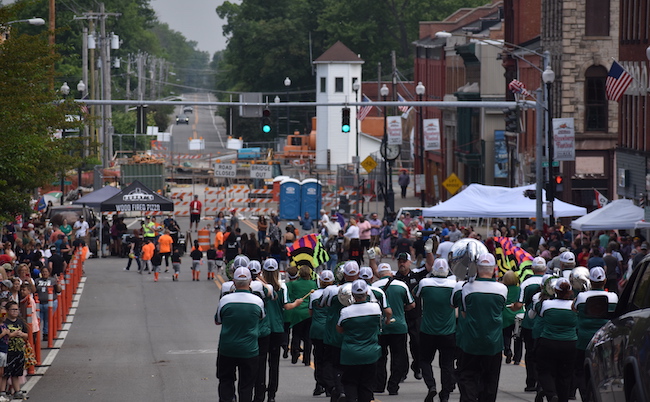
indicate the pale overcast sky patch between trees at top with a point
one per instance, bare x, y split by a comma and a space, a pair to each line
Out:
197, 20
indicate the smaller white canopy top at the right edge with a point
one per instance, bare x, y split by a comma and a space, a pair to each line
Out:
618, 214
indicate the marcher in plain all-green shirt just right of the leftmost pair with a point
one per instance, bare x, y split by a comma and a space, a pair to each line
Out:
300, 318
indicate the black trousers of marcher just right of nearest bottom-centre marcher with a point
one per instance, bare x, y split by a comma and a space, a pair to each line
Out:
398, 361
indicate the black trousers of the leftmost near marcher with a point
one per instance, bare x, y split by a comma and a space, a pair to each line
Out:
227, 368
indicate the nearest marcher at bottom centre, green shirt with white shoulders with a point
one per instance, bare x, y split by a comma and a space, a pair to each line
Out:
360, 324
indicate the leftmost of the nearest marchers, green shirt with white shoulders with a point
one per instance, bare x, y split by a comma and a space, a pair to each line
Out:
239, 314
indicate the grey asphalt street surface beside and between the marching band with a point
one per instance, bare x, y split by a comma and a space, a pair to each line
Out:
136, 339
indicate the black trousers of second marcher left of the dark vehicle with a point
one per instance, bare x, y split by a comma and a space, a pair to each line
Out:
555, 362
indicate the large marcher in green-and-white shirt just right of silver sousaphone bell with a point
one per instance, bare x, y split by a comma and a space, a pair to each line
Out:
479, 364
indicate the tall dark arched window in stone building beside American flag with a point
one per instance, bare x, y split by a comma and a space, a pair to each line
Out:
595, 99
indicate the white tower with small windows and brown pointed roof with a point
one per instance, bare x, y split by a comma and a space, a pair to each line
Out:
336, 71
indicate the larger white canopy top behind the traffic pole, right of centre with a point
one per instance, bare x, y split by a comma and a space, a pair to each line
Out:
481, 201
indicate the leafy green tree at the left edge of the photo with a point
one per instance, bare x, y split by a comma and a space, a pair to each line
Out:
30, 115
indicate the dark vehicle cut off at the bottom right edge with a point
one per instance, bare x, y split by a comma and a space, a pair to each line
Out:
617, 360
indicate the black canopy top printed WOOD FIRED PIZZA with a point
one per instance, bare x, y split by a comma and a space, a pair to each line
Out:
137, 197
